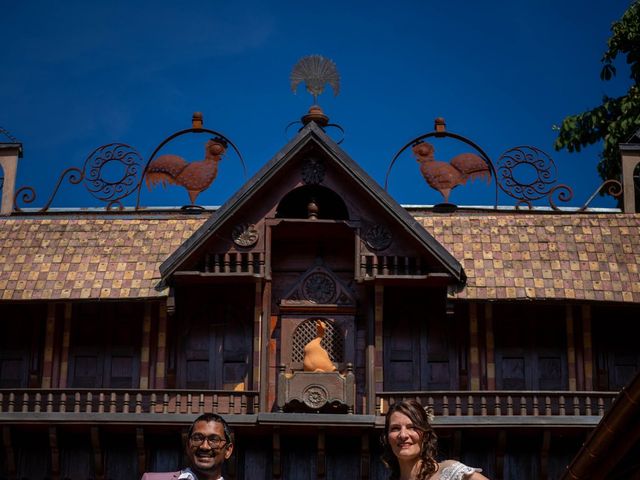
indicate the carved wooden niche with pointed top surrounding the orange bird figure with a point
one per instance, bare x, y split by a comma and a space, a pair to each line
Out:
318, 296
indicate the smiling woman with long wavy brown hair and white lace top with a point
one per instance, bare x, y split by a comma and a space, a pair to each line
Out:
410, 447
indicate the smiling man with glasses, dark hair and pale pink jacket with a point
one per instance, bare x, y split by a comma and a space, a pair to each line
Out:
208, 446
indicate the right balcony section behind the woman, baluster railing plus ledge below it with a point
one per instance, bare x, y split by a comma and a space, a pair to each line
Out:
501, 408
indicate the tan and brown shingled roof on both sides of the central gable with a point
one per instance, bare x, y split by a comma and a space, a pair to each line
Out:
505, 256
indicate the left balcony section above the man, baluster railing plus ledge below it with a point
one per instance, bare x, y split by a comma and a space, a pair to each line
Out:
122, 405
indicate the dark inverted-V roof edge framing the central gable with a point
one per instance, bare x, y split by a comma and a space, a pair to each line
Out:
313, 133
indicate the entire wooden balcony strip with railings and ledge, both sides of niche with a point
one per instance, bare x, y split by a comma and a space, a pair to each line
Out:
451, 408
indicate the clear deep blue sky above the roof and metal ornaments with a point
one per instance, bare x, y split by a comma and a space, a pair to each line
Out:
80, 74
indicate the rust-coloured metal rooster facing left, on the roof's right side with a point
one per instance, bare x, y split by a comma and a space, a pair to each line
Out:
443, 176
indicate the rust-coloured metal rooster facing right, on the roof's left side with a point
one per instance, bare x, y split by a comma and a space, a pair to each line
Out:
194, 176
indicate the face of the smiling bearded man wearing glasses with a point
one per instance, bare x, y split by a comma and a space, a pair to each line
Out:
210, 454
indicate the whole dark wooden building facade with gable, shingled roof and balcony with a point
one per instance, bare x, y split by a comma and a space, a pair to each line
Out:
518, 328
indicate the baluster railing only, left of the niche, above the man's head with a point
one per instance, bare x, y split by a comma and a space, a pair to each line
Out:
128, 401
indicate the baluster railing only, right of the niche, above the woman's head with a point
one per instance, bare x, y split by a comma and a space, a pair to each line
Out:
503, 403
